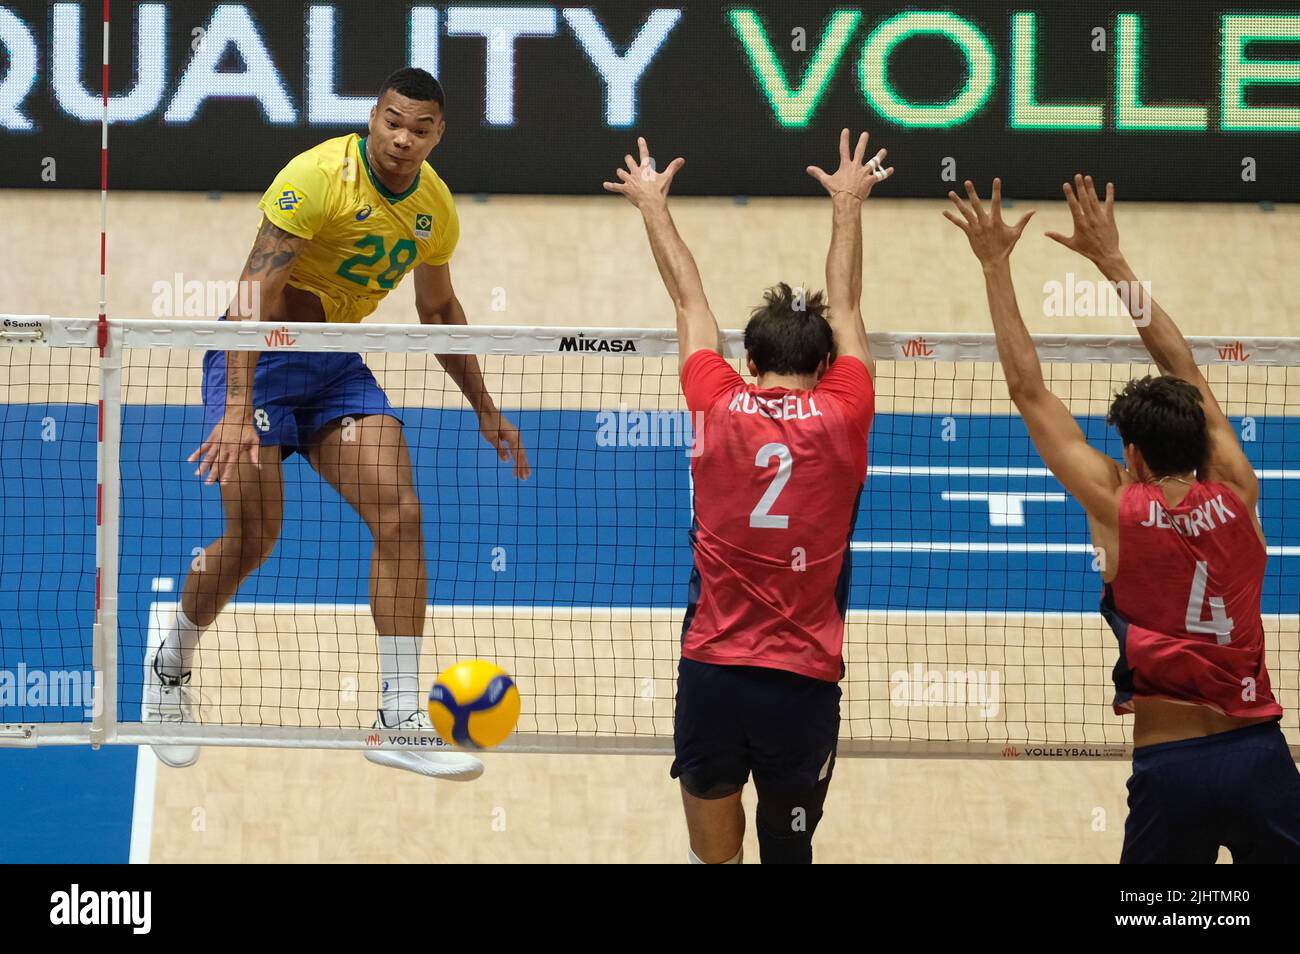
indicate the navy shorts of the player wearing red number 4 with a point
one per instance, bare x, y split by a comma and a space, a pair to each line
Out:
1240, 790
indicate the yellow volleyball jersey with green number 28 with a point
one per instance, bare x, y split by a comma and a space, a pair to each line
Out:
365, 238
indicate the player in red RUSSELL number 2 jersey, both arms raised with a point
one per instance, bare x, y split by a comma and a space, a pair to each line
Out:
778, 471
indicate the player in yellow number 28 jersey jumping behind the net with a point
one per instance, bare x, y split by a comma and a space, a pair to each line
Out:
344, 224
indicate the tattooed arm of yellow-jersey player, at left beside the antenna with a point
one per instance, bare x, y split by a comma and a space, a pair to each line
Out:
270, 263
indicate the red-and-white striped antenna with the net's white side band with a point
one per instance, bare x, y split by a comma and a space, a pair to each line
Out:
105, 653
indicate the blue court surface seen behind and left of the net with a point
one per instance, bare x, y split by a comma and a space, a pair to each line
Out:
965, 524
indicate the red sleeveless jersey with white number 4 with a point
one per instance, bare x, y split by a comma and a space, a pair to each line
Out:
1186, 602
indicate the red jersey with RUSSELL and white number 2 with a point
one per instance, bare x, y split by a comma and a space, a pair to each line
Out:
777, 480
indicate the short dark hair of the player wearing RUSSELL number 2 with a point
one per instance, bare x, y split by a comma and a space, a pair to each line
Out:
788, 335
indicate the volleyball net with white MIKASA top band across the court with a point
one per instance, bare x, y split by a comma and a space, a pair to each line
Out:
973, 626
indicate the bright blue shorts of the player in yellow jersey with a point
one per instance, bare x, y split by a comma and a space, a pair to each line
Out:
296, 394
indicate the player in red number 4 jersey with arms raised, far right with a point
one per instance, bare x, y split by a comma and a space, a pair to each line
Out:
1182, 556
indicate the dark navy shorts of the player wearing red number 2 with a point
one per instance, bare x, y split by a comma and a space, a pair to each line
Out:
733, 721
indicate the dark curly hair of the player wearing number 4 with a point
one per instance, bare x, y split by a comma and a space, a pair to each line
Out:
1165, 419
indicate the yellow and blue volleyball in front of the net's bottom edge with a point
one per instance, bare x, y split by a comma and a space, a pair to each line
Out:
475, 705
